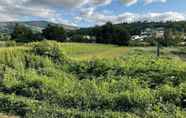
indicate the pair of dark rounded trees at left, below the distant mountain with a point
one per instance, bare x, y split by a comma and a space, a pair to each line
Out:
22, 33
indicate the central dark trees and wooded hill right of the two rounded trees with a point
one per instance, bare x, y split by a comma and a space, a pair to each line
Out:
121, 33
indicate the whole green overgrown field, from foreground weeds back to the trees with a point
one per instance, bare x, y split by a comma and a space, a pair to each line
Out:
70, 80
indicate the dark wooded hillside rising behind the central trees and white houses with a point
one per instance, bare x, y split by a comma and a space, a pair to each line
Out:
137, 27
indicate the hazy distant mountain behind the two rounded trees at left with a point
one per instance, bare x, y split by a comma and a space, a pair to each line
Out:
37, 26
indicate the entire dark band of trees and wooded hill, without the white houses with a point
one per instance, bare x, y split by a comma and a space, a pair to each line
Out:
119, 34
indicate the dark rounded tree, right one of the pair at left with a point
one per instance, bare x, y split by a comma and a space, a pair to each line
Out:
52, 32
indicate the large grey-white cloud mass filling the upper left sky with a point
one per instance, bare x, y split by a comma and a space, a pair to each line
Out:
45, 9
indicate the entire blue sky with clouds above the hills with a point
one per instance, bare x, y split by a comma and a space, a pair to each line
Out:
86, 13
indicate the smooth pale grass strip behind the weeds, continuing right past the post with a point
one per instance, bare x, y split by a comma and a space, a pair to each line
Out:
83, 51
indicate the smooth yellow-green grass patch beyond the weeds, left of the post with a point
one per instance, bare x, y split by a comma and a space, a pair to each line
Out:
88, 51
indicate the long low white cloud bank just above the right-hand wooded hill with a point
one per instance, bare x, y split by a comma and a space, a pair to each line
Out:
101, 18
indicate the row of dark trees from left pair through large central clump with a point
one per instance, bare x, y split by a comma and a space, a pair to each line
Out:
108, 34
